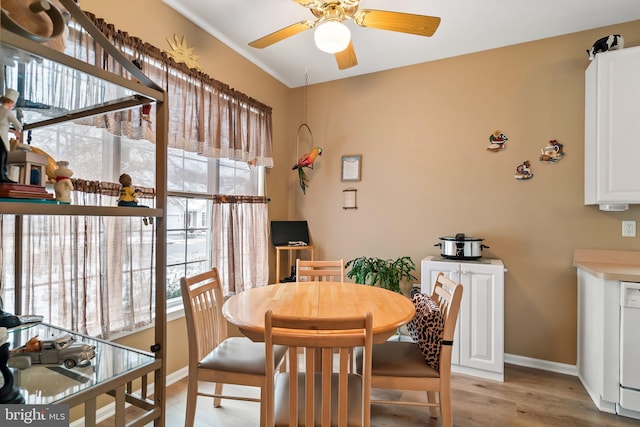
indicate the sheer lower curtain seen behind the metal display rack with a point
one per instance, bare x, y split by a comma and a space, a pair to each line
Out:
94, 275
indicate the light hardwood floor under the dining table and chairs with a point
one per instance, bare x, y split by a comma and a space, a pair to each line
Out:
528, 397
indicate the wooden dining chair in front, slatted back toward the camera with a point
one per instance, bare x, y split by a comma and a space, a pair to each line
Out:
318, 393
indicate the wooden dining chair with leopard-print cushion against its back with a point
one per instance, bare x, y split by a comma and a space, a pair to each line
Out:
404, 366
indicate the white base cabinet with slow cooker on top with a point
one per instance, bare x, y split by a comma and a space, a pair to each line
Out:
478, 347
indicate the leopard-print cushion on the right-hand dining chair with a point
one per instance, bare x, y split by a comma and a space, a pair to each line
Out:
426, 328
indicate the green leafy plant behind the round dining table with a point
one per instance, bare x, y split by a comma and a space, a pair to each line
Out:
385, 273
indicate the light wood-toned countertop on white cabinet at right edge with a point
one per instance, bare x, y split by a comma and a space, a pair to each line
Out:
609, 265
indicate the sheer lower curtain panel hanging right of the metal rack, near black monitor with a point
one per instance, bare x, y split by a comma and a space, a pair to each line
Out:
240, 241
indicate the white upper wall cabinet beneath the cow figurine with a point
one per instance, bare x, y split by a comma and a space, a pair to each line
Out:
612, 129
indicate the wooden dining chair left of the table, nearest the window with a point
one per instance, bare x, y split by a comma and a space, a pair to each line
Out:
213, 356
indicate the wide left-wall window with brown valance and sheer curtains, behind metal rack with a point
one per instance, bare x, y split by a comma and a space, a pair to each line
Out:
95, 274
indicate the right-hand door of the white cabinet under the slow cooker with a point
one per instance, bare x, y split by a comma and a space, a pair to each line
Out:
482, 317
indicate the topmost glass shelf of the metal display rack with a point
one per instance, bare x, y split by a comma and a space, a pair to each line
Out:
45, 79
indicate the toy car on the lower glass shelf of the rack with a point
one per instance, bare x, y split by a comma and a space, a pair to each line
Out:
59, 351
